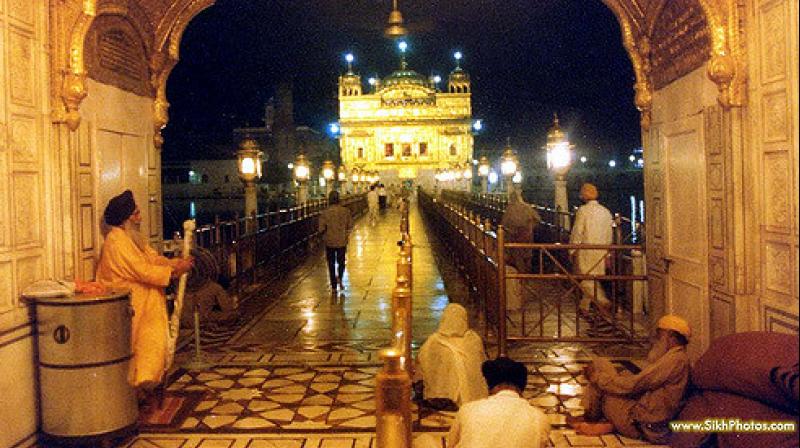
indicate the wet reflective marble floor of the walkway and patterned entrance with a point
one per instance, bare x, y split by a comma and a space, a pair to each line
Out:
297, 369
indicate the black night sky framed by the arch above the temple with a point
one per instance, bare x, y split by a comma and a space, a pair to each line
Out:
527, 59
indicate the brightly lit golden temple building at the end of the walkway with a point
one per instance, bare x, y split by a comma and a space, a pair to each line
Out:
405, 127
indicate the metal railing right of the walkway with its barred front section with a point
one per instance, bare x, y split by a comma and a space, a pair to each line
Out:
545, 308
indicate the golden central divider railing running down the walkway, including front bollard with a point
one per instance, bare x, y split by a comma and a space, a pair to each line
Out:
393, 383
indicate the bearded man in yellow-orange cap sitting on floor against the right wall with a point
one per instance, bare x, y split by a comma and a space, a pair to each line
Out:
641, 405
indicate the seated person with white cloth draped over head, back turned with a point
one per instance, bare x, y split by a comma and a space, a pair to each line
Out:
449, 362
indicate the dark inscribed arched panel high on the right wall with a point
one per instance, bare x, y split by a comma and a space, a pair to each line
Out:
681, 42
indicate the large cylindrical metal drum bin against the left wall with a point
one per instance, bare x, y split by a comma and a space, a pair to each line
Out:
84, 346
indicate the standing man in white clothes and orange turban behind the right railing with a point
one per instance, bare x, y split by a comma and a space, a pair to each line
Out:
593, 225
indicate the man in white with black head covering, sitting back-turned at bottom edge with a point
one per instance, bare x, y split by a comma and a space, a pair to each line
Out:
505, 419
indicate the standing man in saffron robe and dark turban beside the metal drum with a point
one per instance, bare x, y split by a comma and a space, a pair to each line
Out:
127, 262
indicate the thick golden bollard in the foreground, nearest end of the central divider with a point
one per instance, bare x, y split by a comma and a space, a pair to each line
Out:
392, 402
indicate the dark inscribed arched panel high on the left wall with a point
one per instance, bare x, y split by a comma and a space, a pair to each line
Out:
115, 55
